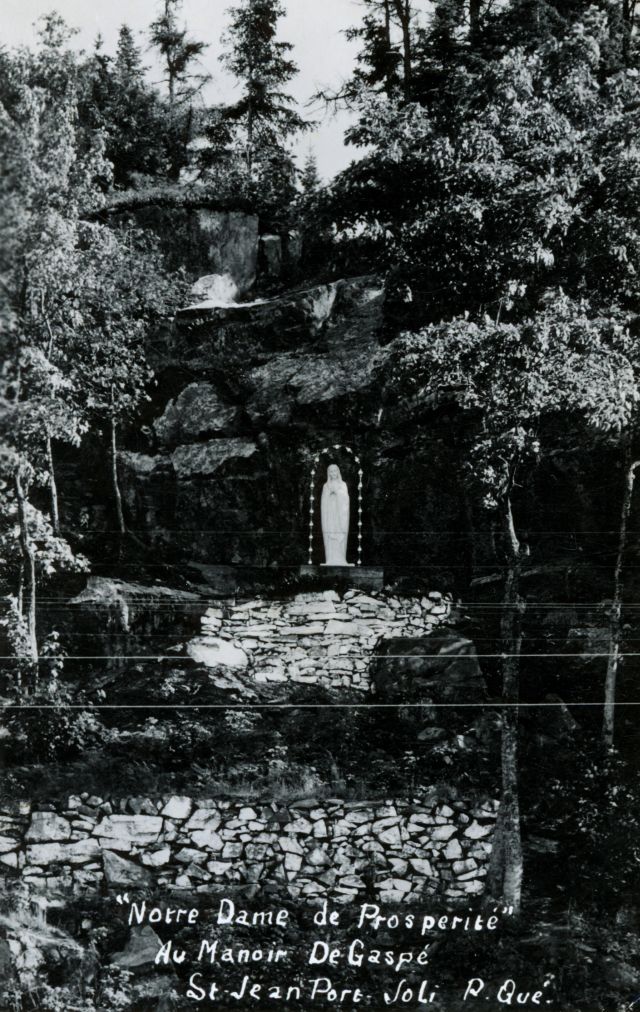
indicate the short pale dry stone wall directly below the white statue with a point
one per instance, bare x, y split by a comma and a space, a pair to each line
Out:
315, 639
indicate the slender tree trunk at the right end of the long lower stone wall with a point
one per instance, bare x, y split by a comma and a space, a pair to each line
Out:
509, 866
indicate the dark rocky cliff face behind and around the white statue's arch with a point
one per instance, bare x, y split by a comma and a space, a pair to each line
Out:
247, 396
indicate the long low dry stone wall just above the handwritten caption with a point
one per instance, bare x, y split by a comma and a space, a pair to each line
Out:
399, 851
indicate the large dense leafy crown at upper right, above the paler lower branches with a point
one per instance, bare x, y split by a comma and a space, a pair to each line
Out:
517, 180
